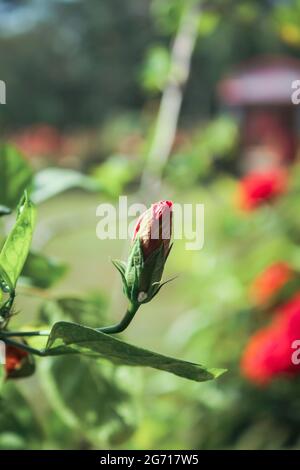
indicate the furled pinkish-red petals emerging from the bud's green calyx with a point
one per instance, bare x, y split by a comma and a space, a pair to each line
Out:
154, 228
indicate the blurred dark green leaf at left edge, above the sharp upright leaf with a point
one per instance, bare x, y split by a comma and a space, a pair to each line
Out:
15, 175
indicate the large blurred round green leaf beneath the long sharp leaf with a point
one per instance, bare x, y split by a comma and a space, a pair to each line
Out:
76, 397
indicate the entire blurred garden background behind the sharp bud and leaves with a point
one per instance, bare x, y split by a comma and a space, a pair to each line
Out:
159, 99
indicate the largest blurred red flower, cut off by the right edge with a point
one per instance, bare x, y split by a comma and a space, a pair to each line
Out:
269, 351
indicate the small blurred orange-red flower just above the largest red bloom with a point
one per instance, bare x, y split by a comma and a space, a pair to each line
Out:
270, 282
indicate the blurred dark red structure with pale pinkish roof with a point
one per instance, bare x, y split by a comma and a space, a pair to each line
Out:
260, 91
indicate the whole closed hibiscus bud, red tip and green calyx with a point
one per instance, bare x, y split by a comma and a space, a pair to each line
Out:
142, 274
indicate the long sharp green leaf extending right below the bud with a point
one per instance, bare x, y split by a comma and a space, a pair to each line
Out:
68, 338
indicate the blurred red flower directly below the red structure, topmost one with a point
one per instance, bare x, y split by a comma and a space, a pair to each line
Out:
260, 187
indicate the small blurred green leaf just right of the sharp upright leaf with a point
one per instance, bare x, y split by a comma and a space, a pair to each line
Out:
42, 271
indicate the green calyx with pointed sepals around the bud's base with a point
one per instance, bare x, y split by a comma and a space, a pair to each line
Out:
142, 278
